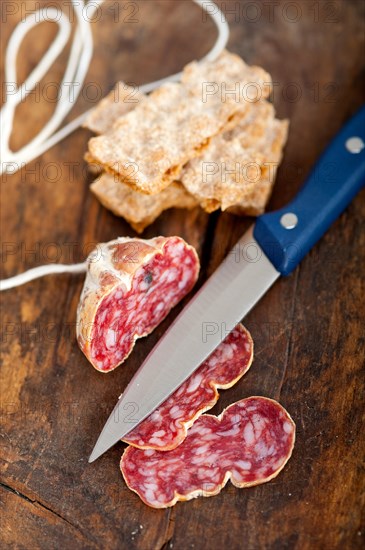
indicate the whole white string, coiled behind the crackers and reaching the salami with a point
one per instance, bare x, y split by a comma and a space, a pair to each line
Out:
75, 73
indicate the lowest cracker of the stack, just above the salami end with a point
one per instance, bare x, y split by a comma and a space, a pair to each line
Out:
138, 209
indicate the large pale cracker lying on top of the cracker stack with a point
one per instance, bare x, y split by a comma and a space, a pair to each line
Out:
148, 146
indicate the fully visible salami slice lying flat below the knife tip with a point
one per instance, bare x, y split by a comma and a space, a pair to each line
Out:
249, 443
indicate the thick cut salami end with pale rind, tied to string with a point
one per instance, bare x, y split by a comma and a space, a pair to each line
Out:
130, 286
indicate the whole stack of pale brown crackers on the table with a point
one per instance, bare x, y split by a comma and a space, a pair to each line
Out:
210, 140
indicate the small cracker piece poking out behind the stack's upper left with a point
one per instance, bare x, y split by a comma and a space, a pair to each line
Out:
118, 102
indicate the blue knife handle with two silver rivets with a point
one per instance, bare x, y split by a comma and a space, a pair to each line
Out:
287, 235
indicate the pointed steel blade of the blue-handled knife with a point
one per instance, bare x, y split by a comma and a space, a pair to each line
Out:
243, 277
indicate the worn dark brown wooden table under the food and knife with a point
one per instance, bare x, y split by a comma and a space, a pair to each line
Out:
308, 330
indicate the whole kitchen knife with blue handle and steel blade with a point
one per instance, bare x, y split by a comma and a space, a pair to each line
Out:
273, 246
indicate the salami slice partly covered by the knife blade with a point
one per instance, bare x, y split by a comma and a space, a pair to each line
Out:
167, 426
